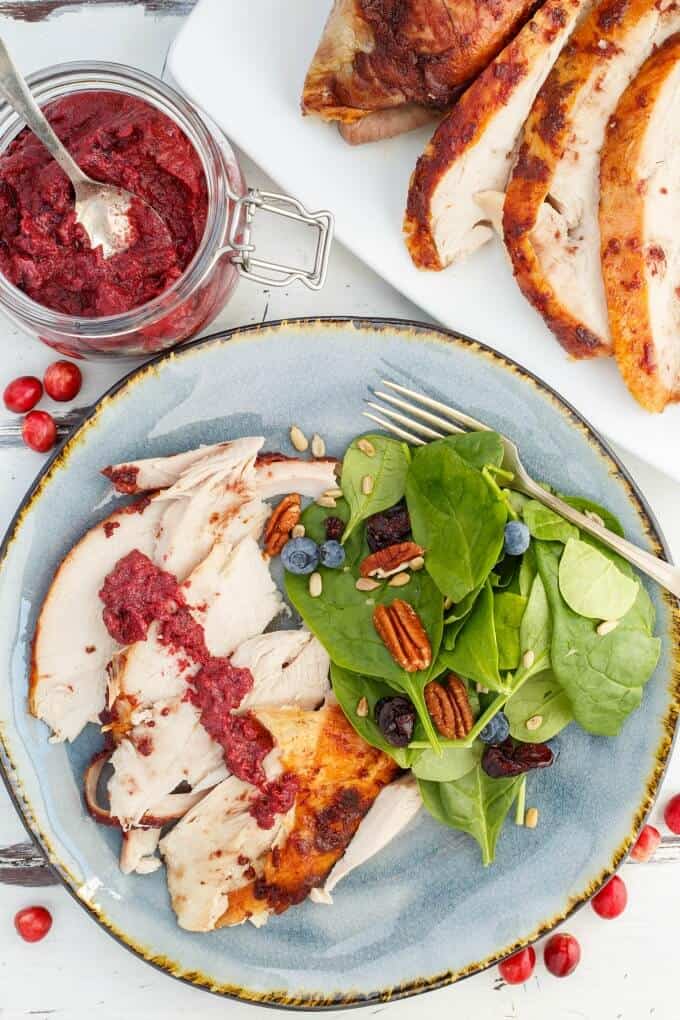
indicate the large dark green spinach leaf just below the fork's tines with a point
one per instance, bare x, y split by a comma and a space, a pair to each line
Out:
456, 518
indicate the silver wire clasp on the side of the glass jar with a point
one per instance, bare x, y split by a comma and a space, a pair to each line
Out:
277, 274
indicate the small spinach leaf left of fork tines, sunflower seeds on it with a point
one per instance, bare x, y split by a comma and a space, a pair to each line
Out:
388, 468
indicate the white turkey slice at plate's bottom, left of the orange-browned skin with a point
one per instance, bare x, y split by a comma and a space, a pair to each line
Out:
217, 848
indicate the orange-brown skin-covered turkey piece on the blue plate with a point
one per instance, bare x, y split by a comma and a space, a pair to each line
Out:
338, 785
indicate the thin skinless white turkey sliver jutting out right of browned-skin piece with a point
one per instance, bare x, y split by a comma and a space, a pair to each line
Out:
392, 811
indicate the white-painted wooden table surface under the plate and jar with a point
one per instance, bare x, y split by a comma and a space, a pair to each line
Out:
630, 966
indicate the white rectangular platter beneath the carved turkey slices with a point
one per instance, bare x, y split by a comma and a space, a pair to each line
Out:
245, 65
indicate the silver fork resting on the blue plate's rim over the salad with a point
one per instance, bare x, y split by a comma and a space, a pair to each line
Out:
421, 426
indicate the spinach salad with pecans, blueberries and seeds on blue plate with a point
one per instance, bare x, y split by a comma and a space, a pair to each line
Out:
504, 626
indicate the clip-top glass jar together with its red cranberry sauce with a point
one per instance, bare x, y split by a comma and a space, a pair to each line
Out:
198, 286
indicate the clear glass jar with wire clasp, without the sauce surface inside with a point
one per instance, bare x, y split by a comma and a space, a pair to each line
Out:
225, 253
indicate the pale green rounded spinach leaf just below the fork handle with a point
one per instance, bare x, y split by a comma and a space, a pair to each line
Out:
593, 586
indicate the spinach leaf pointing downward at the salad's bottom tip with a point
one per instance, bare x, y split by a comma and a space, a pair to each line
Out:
475, 804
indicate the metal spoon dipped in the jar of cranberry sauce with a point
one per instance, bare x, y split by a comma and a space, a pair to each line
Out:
101, 210
